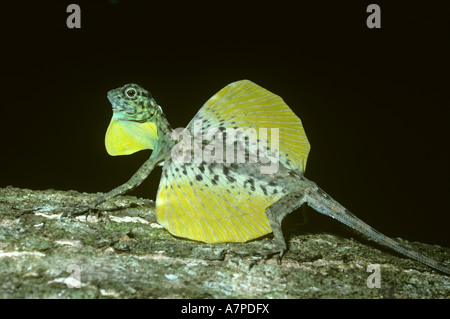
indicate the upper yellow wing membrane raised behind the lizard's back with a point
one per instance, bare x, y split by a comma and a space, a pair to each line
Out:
245, 104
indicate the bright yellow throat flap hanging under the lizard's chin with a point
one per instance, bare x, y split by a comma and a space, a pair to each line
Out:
126, 137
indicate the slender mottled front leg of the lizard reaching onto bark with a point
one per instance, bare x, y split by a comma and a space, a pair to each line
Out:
142, 173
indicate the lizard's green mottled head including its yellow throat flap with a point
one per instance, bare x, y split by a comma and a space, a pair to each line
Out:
134, 123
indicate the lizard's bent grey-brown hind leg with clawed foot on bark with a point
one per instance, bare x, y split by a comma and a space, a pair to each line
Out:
275, 214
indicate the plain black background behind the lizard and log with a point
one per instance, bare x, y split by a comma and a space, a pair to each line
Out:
374, 102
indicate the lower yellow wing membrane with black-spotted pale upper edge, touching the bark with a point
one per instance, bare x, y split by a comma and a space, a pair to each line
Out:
211, 207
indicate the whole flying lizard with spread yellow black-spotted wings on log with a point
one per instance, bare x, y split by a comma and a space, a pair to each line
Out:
232, 174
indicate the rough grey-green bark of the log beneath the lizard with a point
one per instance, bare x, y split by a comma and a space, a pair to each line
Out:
126, 254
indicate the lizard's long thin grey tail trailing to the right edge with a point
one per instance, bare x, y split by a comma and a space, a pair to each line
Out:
323, 203
